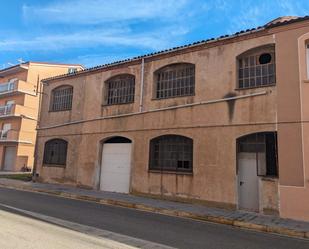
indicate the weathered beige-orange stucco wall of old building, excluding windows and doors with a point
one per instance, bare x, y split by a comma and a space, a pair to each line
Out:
214, 118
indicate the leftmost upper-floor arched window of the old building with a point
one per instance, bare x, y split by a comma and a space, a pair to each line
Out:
61, 98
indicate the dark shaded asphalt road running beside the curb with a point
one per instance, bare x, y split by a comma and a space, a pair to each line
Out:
171, 231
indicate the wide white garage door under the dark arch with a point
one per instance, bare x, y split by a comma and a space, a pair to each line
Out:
116, 167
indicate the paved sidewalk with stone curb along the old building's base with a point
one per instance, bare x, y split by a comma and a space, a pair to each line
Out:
255, 221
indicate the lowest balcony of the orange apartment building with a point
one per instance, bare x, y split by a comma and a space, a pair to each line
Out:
14, 136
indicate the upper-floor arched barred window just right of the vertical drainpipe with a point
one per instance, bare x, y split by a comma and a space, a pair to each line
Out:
175, 80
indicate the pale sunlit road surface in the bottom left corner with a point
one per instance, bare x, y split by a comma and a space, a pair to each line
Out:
19, 232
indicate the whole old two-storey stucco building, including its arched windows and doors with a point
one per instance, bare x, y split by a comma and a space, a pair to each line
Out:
222, 121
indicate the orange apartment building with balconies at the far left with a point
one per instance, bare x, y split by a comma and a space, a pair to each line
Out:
19, 104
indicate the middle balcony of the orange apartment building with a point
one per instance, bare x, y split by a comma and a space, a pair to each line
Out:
17, 111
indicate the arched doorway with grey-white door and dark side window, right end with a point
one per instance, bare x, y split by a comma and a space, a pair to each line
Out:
256, 157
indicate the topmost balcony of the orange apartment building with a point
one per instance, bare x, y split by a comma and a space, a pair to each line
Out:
17, 86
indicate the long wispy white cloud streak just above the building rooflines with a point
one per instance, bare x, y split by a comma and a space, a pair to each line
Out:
155, 40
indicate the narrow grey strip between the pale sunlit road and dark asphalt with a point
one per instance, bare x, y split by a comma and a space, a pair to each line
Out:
99, 233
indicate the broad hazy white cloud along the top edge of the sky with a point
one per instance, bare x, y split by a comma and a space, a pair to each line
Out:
102, 11
